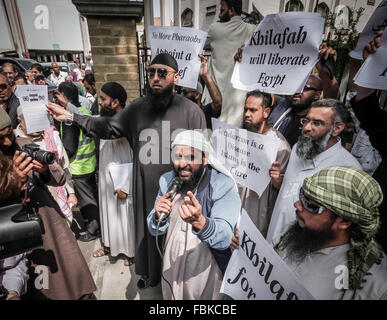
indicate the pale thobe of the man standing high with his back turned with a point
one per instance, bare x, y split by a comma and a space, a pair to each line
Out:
224, 39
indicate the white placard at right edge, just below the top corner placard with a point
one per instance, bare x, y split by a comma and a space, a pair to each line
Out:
373, 72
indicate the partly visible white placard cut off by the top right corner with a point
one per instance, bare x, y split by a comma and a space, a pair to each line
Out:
376, 23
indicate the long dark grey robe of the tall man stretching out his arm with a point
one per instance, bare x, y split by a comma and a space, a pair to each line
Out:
149, 145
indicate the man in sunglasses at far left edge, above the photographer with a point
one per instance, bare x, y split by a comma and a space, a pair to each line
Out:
8, 100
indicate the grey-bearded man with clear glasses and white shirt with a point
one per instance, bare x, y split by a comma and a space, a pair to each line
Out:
318, 147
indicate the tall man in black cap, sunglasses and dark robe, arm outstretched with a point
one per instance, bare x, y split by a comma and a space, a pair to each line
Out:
148, 123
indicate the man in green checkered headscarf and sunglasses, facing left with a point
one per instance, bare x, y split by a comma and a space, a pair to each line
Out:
332, 246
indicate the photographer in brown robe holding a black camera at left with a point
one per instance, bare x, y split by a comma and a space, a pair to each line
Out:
68, 275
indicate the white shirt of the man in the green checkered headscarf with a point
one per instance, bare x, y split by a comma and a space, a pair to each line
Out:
323, 274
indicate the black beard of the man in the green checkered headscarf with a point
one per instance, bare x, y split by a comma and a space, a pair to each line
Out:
300, 242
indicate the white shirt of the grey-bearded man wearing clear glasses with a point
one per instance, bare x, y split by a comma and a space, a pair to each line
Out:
298, 169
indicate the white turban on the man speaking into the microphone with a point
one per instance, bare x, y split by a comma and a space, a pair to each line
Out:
196, 139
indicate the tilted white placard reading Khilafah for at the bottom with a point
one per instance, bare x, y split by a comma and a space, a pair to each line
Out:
256, 271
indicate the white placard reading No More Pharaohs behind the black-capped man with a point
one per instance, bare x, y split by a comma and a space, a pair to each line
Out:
184, 44
